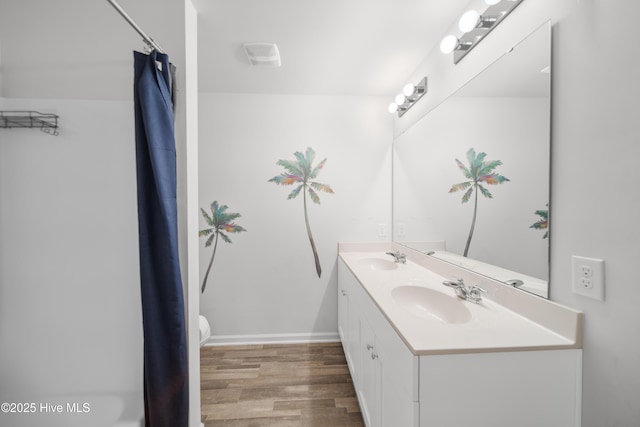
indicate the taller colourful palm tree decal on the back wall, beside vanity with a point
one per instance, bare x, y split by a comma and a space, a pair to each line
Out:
301, 172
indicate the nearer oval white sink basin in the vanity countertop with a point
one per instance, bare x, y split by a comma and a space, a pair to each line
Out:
431, 304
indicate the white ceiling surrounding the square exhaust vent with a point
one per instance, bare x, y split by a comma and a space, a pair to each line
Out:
345, 47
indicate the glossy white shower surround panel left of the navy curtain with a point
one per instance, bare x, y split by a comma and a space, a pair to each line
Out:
70, 310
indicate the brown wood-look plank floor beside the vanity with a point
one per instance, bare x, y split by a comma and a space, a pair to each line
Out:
288, 385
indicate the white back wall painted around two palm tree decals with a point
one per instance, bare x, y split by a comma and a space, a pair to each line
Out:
264, 282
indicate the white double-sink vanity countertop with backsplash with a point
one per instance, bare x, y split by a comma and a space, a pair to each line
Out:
518, 322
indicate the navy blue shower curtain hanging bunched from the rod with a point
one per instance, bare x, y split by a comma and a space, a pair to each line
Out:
165, 351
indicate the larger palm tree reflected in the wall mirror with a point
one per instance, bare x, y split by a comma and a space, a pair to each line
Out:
478, 173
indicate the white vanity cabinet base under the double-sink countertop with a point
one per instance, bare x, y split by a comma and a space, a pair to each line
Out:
398, 386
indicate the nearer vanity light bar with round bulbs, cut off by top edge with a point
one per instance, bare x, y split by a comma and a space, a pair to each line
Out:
475, 27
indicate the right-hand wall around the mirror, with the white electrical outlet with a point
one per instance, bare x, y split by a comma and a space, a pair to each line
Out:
594, 201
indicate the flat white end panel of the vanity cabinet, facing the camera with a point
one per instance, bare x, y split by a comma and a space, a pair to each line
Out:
502, 389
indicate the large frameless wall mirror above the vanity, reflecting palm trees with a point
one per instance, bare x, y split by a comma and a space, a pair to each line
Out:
471, 178
